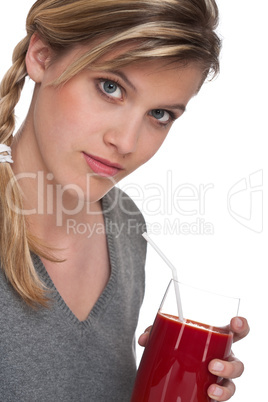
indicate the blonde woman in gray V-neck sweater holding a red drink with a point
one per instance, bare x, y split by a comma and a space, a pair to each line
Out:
110, 78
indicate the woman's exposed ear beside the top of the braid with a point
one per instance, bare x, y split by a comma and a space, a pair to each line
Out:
37, 58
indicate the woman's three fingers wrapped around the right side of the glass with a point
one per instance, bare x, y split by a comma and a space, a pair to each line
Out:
230, 369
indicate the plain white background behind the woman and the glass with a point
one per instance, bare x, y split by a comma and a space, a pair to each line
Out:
219, 241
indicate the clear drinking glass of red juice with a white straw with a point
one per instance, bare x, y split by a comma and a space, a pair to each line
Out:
174, 365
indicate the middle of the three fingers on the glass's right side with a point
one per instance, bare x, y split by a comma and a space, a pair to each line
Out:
226, 369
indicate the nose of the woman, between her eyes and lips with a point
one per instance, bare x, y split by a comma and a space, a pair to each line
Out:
124, 134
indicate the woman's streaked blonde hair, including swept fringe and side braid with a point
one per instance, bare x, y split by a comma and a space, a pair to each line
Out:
179, 30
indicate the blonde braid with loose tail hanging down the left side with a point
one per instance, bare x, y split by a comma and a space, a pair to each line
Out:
14, 241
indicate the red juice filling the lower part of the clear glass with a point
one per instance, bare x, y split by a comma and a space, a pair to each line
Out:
174, 363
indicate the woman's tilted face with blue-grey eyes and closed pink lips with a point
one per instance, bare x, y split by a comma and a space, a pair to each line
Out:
100, 126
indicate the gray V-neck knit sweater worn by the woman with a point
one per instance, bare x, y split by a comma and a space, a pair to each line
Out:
48, 355
